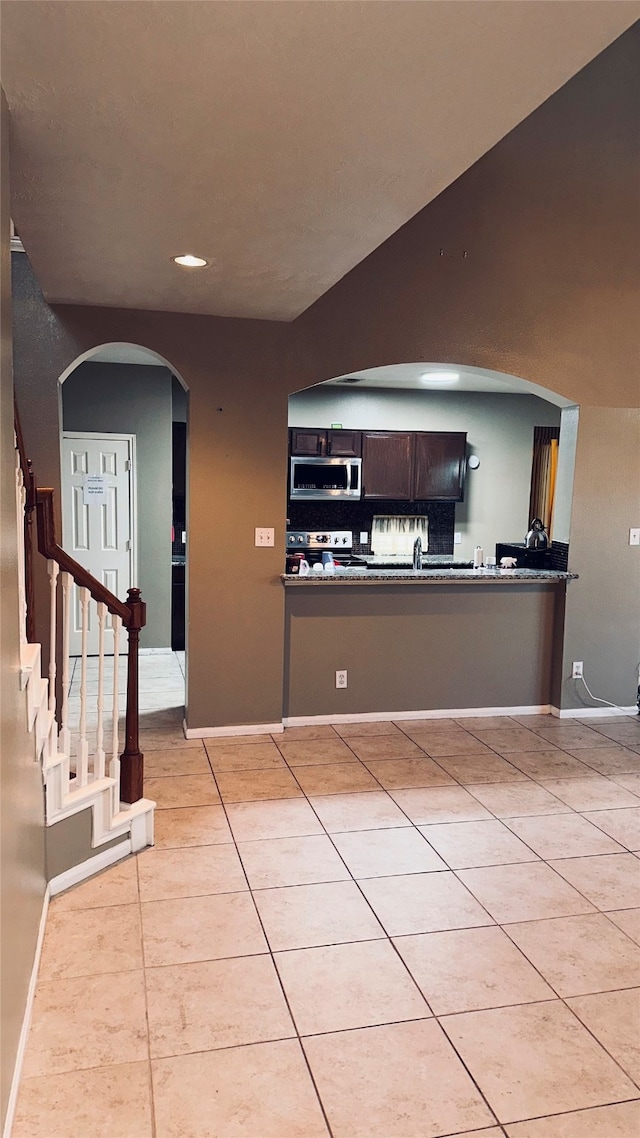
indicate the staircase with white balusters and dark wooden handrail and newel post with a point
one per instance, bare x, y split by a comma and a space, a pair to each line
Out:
80, 756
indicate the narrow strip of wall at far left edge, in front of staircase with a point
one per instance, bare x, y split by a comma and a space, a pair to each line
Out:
22, 851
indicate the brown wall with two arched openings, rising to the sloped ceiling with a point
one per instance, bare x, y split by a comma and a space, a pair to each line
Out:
548, 292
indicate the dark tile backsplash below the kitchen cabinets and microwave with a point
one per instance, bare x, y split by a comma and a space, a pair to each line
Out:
359, 517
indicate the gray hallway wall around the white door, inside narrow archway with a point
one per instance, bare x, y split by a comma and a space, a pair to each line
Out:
136, 400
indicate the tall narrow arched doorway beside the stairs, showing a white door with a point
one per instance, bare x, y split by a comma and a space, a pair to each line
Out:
124, 415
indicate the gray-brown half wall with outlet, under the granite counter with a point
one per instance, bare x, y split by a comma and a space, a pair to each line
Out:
419, 648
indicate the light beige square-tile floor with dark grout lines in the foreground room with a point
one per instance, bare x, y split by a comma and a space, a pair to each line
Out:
372, 931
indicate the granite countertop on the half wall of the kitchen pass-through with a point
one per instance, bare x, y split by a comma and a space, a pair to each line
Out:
357, 576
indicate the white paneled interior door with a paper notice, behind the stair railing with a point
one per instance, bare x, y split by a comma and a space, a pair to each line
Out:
99, 521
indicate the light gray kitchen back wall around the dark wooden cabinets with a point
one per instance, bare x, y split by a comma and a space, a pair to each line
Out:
499, 431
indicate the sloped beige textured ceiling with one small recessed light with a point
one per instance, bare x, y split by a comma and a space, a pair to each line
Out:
283, 142
